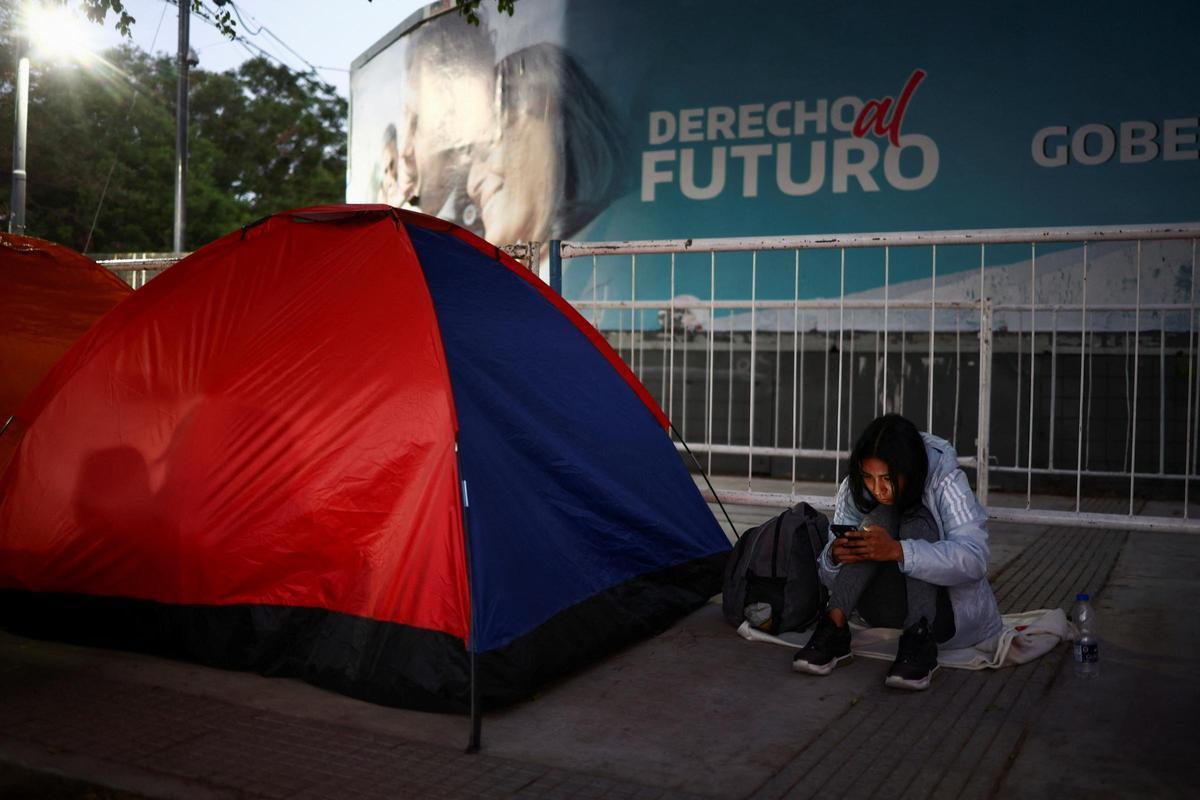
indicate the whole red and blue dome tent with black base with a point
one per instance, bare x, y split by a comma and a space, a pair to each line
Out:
361, 447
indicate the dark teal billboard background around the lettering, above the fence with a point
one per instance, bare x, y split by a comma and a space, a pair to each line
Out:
997, 75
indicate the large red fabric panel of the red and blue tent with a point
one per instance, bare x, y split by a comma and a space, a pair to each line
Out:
232, 461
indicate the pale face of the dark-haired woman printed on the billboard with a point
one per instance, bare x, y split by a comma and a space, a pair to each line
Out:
513, 181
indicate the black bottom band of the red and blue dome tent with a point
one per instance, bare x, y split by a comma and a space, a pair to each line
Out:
381, 663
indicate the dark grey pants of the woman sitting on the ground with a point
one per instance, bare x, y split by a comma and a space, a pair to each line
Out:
878, 591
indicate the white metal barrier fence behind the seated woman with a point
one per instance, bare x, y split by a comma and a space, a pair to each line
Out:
1055, 360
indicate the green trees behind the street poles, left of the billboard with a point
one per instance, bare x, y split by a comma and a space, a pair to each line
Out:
261, 140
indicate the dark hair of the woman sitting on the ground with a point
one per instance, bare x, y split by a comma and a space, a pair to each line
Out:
897, 443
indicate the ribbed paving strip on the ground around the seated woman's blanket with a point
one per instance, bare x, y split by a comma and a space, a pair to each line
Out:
957, 739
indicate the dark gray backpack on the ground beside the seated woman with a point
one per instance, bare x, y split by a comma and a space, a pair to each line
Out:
771, 579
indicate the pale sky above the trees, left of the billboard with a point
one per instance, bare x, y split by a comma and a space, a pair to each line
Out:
325, 34
